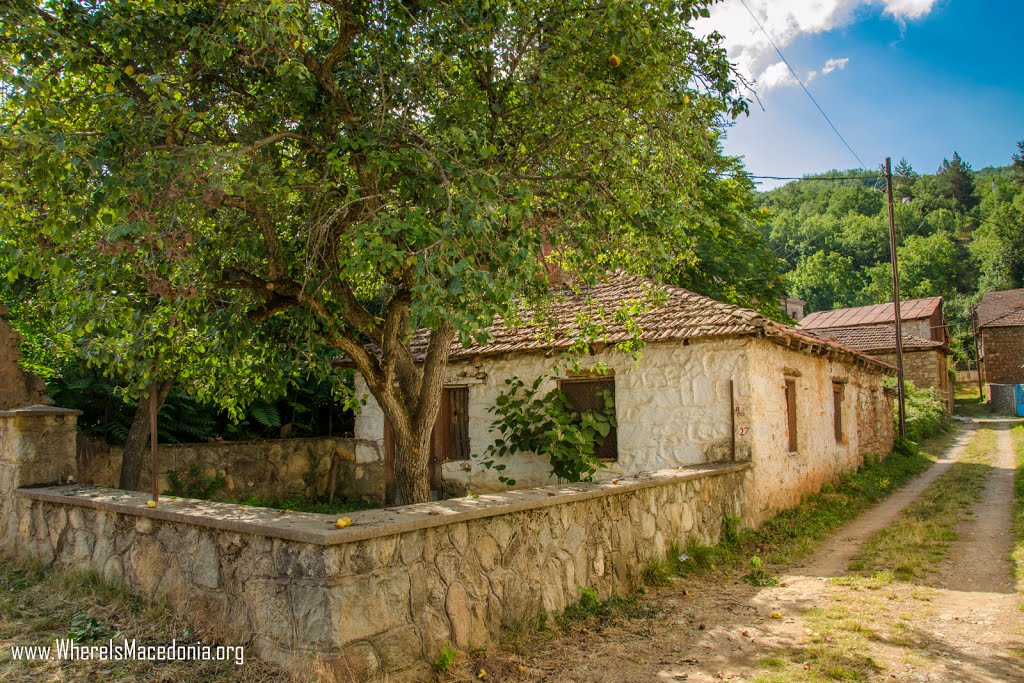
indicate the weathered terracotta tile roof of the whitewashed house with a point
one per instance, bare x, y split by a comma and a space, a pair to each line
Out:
677, 315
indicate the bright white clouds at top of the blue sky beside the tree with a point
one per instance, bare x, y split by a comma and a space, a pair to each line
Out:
786, 21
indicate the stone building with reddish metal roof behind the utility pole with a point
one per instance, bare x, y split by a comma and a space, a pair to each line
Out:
873, 330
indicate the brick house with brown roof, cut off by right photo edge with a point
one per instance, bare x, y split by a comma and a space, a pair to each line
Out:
1001, 335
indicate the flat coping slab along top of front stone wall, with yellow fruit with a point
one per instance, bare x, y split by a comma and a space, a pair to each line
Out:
320, 529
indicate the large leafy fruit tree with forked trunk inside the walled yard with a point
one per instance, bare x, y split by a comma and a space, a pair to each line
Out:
373, 167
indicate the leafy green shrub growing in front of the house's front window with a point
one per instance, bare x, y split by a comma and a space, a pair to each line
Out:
548, 425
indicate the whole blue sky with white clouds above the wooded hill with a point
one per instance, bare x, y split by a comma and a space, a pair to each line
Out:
915, 79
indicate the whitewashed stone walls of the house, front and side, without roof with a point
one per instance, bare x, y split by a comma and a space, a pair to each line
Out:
673, 409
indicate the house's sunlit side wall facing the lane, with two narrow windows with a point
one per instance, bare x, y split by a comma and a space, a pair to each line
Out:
782, 478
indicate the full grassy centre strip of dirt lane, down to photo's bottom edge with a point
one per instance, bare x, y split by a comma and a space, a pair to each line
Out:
868, 623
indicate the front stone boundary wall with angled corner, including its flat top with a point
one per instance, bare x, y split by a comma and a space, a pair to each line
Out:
379, 599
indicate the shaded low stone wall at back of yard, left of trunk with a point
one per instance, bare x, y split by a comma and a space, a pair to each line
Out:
270, 471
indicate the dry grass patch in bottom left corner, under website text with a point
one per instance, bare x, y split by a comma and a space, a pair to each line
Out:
38, 608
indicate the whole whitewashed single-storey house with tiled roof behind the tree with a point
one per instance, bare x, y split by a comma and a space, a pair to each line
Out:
715, 383
